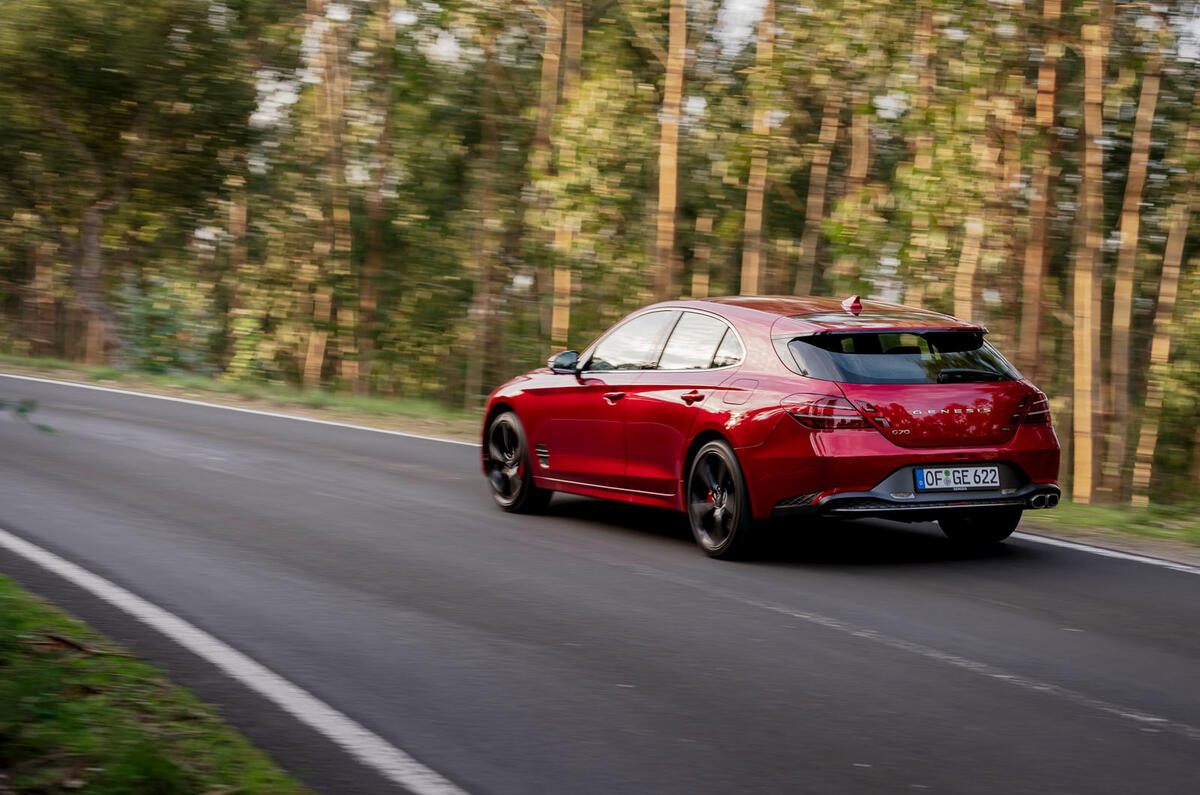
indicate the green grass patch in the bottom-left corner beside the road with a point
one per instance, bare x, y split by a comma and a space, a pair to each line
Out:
79, 714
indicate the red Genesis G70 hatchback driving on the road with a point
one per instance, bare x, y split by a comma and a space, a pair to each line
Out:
747, 409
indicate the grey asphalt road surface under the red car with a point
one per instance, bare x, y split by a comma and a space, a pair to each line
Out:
596, 649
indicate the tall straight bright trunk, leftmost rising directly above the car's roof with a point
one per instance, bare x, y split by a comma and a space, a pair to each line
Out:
665, 266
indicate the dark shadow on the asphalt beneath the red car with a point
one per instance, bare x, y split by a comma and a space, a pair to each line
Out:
808, 542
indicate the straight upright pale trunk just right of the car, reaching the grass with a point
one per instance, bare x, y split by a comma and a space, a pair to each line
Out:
1087, 288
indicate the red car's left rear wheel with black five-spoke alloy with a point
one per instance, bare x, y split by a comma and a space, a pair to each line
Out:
718, 504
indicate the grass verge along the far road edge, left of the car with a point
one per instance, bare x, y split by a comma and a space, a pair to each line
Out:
403, 414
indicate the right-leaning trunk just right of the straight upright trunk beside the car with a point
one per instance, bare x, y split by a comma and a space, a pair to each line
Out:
1127, 267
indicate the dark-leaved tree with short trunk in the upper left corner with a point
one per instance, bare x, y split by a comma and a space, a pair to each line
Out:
109, 104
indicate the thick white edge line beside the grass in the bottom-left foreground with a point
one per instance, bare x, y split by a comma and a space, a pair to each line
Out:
368, 748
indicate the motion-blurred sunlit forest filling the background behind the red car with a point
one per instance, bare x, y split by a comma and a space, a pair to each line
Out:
422, 200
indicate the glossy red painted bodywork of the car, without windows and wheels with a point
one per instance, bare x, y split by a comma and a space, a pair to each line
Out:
628, 434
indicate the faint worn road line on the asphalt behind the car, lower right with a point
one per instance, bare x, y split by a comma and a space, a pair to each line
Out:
1144, 721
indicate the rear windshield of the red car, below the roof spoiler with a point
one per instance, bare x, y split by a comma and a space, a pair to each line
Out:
901, 358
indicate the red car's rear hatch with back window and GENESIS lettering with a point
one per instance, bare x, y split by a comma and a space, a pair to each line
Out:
922, 388
